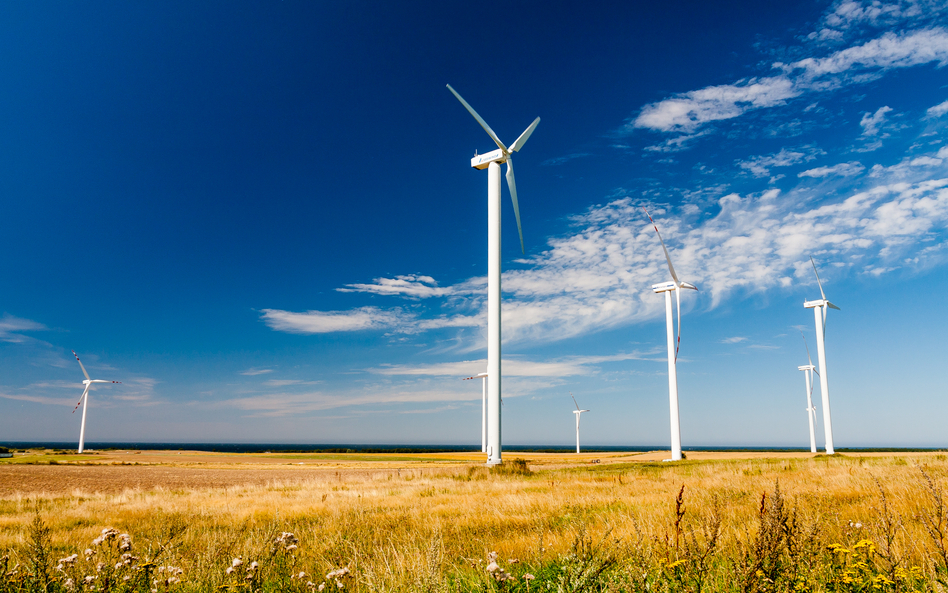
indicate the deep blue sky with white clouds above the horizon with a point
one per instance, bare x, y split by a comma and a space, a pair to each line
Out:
262, 219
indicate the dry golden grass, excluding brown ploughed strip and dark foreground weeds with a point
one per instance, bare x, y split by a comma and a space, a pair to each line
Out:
430, 523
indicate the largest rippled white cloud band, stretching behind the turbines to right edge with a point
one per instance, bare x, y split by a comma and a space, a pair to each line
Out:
598, 276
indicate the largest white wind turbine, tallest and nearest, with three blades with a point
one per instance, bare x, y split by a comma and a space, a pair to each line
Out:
491, 161
